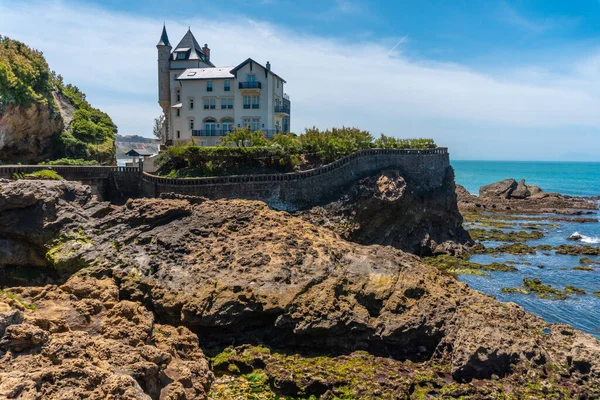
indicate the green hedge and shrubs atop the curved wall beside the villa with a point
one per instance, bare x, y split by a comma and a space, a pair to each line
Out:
245, 151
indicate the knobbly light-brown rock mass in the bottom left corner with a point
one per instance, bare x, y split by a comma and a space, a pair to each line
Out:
81, 342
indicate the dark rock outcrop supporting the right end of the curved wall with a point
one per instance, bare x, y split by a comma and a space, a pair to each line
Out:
386, 210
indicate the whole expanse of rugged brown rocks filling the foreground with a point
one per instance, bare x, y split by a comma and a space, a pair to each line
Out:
188, 298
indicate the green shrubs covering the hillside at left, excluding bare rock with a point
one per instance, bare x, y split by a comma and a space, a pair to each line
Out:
27, 81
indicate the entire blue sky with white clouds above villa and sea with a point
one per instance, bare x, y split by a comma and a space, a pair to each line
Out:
490, 79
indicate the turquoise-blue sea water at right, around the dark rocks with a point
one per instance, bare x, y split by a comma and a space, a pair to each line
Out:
581, 179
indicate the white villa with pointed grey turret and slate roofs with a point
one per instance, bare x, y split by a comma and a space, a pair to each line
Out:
202, 102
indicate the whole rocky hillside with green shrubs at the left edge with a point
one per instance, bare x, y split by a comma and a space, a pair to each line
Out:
43, 119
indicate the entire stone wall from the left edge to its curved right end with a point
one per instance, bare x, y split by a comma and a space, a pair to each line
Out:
424, 169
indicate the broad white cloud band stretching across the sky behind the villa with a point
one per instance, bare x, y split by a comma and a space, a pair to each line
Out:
112, 57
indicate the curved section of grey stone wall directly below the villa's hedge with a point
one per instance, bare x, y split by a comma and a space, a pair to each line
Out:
424, 169
